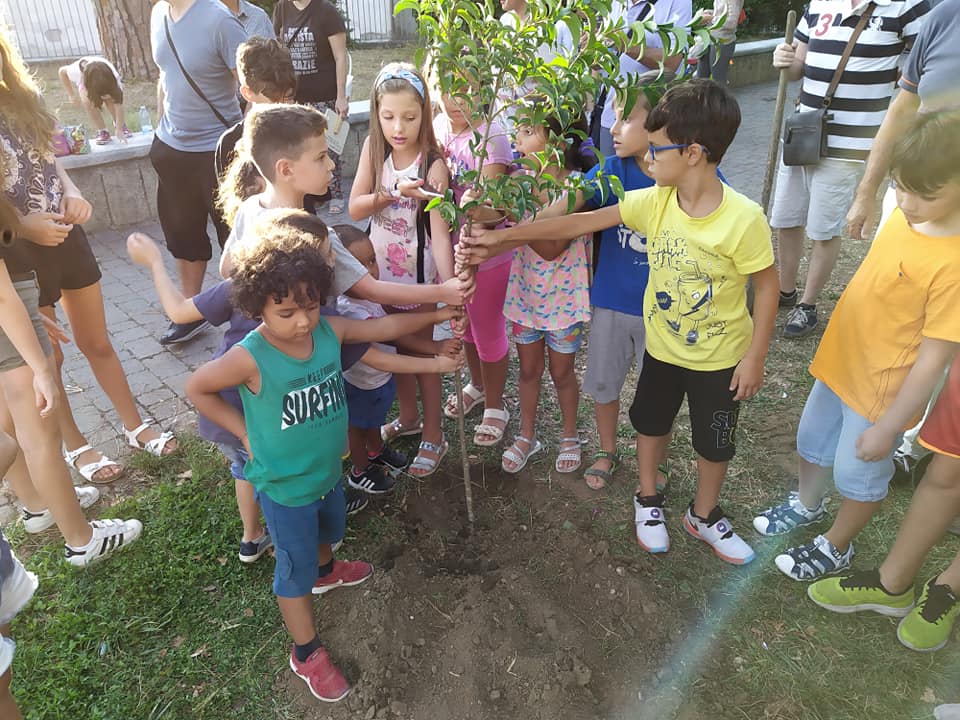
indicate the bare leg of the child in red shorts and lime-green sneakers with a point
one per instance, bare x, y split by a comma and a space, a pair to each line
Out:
935, 504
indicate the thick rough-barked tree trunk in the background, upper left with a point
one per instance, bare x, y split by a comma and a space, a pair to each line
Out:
125, 33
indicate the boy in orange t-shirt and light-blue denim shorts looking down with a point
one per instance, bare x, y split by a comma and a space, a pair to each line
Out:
888, 343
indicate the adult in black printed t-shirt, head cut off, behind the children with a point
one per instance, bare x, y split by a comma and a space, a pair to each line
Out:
316, 35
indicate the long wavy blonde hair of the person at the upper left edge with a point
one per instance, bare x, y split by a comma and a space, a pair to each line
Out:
20, 101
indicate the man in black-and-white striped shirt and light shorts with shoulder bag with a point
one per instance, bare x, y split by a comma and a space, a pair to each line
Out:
812, 200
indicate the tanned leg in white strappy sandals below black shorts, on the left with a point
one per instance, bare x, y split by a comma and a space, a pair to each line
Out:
84, 309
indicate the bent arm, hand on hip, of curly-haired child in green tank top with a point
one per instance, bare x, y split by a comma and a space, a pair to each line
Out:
233, 368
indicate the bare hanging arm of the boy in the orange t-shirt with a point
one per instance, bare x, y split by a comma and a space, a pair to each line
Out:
933, 358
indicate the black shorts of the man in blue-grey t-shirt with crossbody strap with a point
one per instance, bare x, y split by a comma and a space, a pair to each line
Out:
186, 193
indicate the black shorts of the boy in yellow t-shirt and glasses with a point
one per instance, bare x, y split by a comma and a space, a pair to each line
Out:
713, 411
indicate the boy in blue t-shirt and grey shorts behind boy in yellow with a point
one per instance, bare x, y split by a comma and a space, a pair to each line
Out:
620, 280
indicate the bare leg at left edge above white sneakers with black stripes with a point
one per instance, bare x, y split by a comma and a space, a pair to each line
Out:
48, 482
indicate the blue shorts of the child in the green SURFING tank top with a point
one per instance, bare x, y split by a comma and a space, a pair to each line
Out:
298, 533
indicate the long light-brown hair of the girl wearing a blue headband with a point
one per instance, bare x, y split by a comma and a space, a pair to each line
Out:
387, 83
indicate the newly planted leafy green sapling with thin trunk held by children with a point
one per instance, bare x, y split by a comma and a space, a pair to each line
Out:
488, 67
